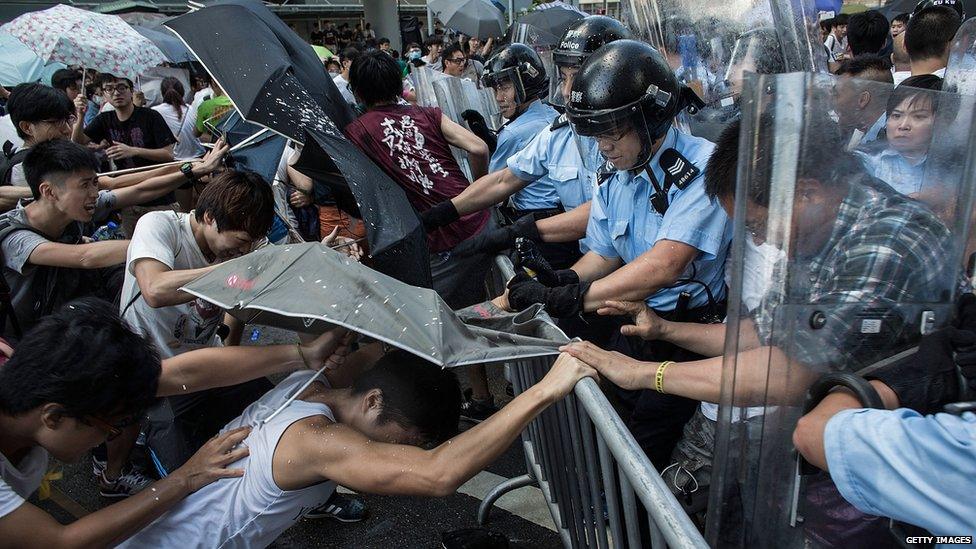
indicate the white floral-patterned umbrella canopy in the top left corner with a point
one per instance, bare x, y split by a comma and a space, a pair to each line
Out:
91, 40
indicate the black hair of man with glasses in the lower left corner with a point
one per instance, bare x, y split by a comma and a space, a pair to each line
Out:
85, 358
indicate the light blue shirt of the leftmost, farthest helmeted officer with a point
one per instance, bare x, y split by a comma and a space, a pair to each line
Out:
514, 137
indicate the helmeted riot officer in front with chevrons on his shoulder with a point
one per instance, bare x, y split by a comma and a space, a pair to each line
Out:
653, 234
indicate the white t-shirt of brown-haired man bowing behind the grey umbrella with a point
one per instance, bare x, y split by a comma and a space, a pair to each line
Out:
167, 237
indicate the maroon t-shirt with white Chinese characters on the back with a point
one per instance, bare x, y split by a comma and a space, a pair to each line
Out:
407, 143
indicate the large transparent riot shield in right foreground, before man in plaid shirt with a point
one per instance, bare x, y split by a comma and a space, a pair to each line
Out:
837, 297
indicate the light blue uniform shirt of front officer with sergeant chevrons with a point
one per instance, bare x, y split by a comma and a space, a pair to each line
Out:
624, 224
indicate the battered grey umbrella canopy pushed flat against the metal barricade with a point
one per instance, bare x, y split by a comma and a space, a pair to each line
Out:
309, 287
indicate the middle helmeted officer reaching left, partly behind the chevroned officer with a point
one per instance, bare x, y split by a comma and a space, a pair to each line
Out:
551, 154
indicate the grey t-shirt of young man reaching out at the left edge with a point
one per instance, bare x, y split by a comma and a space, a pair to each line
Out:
20, 274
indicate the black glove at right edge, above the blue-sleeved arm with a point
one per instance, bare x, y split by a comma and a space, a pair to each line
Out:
929, 378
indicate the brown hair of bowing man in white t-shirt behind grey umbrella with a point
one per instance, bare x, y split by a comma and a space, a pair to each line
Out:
238, 200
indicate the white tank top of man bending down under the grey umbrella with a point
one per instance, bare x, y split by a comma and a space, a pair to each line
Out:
249, 511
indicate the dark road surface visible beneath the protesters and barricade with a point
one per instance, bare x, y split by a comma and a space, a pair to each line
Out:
393, 522
